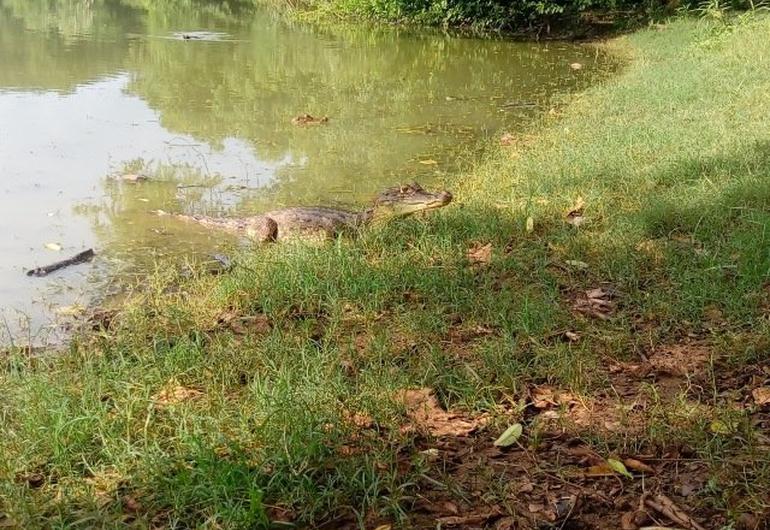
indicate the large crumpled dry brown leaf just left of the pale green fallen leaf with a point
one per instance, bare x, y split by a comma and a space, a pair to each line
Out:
426, 415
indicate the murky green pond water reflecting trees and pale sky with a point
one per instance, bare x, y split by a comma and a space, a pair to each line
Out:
201, 100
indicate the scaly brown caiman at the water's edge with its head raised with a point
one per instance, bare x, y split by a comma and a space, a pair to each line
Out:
278, 224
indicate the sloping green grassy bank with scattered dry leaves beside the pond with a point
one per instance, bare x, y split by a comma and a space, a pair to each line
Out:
603, 282
